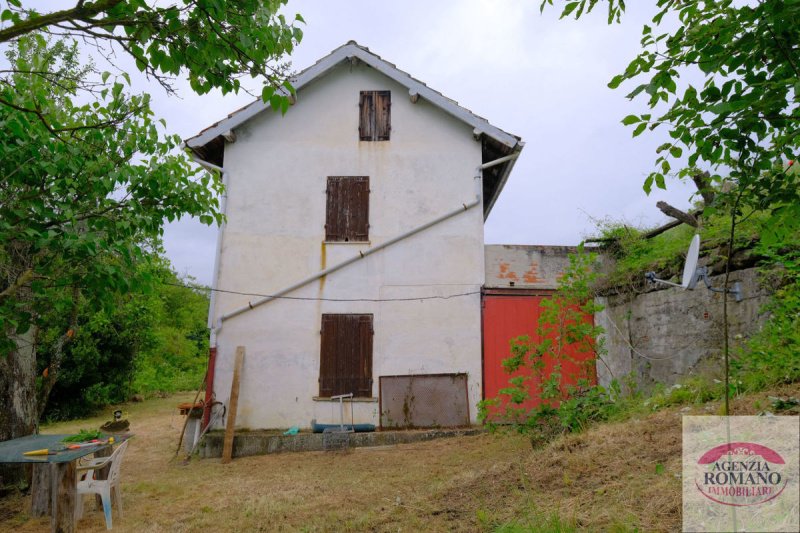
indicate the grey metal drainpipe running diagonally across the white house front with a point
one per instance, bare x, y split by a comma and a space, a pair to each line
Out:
370, 251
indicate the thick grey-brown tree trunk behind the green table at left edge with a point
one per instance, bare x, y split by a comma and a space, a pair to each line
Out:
18, 416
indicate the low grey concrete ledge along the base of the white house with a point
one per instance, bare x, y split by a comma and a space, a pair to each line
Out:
264, 442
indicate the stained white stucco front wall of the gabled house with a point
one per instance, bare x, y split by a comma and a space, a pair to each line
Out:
277, 171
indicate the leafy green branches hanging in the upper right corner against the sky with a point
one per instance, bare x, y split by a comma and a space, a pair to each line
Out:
743, 121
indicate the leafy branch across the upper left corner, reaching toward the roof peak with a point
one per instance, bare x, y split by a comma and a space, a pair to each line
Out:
213, 42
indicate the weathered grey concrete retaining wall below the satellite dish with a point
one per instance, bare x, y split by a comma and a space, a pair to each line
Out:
666, 334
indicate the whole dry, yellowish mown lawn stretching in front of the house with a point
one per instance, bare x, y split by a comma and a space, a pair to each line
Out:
613, 477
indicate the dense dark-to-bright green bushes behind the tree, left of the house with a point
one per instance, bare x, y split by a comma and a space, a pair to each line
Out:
147, 343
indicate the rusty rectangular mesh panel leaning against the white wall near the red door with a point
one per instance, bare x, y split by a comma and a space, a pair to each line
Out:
424, 401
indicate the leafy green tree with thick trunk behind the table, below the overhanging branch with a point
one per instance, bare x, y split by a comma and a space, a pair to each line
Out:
82, 194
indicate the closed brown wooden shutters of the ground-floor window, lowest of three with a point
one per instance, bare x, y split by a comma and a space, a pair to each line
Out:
346, 355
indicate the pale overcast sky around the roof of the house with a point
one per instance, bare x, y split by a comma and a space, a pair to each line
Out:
529, 74
